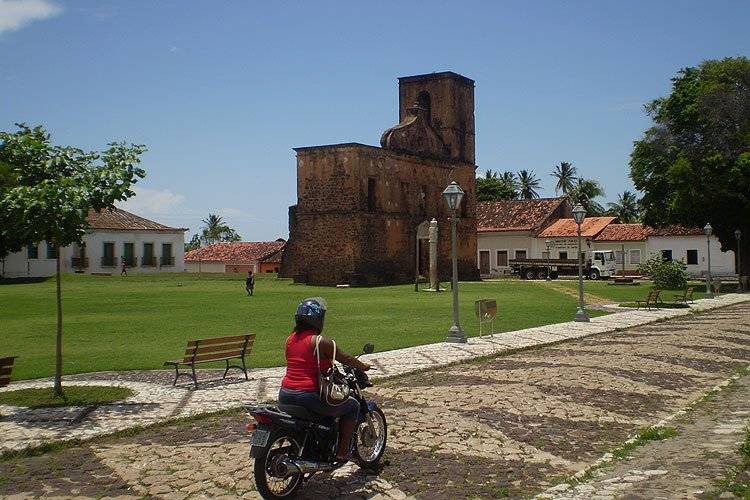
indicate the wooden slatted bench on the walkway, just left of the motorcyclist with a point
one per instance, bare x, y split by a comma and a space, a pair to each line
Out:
215, 349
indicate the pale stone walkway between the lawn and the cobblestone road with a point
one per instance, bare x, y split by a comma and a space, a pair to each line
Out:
157, 401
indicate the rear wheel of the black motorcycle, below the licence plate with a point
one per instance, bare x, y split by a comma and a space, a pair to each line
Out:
272, 478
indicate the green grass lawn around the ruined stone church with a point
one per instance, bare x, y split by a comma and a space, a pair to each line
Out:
139, 321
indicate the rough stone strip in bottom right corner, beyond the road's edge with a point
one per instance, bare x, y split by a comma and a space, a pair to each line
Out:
694, 464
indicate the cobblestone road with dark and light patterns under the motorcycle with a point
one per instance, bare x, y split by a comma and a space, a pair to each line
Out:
509, 426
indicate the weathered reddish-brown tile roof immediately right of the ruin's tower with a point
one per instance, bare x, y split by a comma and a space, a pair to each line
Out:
515, 215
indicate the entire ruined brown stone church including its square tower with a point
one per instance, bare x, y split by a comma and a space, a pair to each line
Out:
358, 206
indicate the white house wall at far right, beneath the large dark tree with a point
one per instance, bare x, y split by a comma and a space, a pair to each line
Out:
722, 263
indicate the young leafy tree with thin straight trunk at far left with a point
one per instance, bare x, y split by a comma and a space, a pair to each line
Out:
46, 192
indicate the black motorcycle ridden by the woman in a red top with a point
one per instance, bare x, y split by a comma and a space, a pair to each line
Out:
291, 444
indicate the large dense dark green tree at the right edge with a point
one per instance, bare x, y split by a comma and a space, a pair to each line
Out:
693, 164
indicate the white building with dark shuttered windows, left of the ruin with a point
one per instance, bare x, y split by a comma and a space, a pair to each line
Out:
114, 237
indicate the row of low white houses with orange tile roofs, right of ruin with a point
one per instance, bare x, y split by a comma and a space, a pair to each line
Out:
520, 228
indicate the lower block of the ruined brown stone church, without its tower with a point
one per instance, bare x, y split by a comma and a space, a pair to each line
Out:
341, 233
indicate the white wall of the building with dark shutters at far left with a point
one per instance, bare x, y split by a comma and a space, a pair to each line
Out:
19, 265
